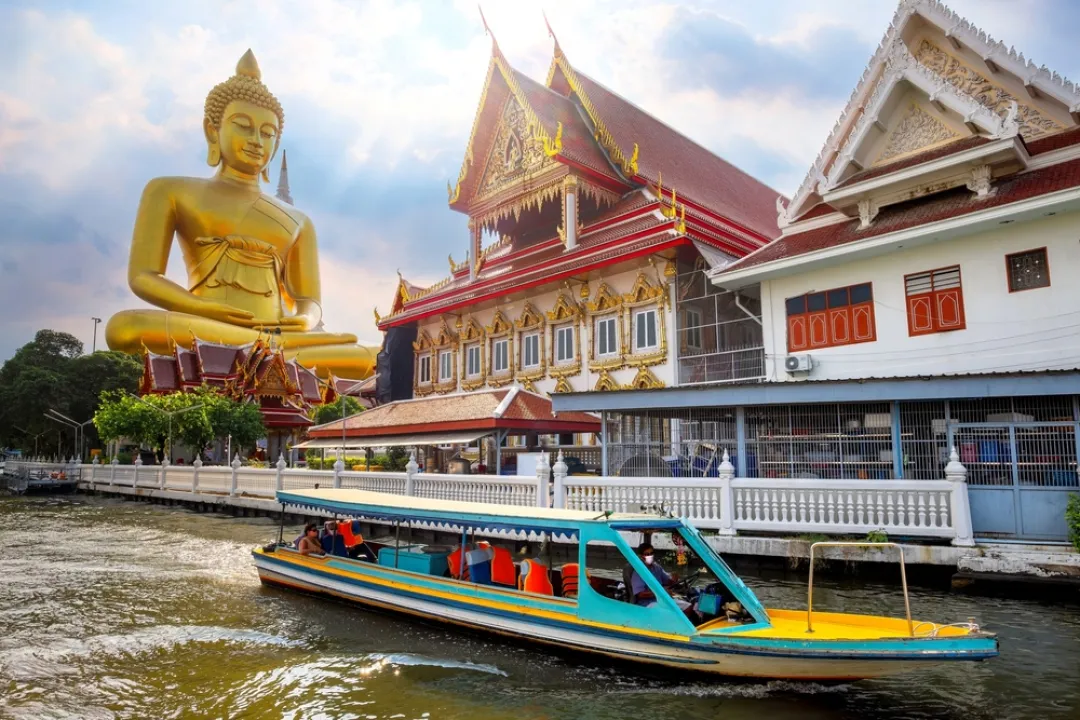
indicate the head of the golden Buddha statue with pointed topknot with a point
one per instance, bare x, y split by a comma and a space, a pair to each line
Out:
244, 121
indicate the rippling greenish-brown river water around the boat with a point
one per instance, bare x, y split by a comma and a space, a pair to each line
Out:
129, 610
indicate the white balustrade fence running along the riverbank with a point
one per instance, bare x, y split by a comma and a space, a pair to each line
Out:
935, 509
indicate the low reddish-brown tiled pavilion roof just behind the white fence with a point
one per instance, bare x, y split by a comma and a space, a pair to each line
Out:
461, 412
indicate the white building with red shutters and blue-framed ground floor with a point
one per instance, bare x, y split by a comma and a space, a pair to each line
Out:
921, 296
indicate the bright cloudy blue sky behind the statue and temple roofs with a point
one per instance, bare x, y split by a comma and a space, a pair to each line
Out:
380, 98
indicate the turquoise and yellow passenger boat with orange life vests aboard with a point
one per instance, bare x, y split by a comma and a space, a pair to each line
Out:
725, 631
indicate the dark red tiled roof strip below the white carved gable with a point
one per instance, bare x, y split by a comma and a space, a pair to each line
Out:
954, 203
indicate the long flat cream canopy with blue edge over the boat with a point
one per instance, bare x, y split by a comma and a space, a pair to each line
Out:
482, 517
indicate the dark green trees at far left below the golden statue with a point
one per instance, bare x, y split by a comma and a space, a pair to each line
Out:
51, 373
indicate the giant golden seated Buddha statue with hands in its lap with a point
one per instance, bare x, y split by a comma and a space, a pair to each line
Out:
252, 261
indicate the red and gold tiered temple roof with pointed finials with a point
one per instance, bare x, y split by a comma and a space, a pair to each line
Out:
643, 188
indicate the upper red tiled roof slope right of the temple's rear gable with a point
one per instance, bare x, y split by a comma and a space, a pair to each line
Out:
688, 168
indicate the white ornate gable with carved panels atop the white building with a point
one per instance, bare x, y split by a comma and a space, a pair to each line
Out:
935, 79
